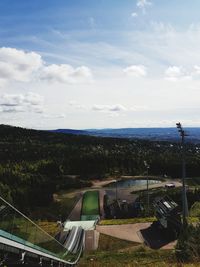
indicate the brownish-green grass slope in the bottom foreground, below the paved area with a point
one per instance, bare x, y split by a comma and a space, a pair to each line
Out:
114, 252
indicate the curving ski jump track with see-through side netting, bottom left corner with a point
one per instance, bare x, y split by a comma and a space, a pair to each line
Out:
19, 232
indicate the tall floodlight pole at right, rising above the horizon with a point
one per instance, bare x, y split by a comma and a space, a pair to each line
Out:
184, 195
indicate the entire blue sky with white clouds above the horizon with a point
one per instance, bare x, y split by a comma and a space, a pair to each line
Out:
99, 63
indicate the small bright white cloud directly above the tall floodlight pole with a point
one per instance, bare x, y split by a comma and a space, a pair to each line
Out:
176, 73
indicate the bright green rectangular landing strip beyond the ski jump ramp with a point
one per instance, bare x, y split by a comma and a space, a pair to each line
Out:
90, 205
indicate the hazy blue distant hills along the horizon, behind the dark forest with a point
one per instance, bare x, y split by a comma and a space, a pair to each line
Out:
153, 134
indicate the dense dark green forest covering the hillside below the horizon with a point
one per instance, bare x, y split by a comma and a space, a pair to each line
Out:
35, 164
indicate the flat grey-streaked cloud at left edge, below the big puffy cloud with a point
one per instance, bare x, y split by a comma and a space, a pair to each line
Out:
30, 102
